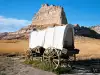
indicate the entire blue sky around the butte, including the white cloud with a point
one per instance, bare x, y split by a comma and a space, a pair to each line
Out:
15, 14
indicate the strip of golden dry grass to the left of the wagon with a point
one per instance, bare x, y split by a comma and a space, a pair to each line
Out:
13, 46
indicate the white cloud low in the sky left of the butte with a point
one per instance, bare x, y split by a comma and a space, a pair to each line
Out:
12, 24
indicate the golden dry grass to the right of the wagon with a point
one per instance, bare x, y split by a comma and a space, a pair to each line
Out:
89, 48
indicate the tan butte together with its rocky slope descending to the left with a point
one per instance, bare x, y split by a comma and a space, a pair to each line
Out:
46, 16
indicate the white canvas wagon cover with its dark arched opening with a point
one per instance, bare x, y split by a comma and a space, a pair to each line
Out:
57, 37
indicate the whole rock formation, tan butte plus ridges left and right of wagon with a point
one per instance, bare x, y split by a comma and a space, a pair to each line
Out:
50, 15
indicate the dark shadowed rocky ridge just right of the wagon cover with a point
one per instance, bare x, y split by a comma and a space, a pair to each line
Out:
85, 31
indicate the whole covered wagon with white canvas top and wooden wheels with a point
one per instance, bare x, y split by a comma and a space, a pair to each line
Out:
54, 44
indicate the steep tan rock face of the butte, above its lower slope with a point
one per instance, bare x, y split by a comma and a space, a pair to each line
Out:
50, 15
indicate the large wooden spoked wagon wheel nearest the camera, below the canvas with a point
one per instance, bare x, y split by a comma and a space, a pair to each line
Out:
52, 56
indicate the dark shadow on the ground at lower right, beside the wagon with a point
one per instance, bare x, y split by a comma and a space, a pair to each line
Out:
87, 66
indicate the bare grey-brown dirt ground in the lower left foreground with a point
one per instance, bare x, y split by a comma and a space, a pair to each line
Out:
14, 66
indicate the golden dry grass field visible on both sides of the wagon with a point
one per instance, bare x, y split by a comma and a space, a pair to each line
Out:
89, 48
